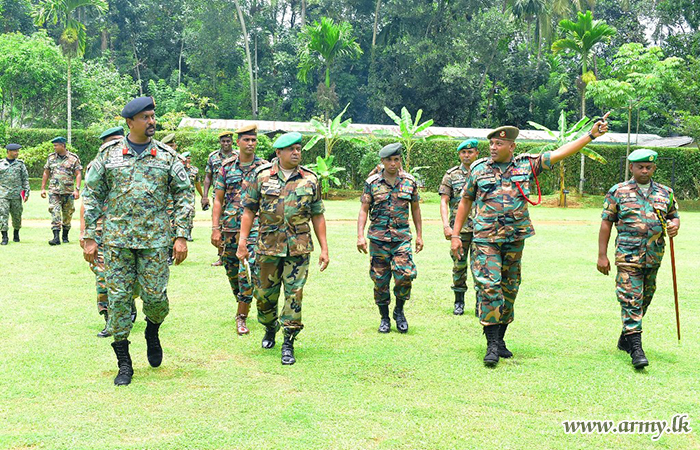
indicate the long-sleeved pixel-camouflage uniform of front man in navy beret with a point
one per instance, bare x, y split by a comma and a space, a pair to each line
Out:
136, 230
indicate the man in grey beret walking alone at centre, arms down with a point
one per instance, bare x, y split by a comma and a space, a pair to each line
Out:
387, 198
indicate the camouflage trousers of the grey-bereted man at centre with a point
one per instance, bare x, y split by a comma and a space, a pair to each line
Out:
387, 259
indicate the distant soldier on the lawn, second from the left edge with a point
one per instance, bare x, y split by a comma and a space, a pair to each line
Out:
61, 168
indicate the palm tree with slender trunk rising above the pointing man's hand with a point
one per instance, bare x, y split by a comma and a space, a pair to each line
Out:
580, 38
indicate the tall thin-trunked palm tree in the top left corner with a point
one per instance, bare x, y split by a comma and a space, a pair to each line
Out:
73, 37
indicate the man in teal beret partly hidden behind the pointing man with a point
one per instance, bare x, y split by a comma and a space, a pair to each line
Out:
450, 193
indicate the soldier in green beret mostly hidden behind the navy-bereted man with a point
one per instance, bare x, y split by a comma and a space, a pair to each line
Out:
97, 266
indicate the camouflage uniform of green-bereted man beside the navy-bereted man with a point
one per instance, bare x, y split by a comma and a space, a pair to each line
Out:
285, 208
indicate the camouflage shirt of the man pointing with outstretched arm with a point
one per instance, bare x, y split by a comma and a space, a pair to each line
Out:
500, 211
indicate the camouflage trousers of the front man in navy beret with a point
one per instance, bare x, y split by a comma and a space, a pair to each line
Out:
127, 270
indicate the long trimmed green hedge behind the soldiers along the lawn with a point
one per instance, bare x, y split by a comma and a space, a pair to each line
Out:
439, 155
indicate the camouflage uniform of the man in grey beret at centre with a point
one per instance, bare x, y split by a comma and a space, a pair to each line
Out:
390, 235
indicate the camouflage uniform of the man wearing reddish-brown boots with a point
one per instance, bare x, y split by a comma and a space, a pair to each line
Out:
232, 179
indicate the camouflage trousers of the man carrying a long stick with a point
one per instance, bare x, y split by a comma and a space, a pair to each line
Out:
635, 287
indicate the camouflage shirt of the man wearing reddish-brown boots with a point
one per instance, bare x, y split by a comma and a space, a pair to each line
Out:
232, 179
